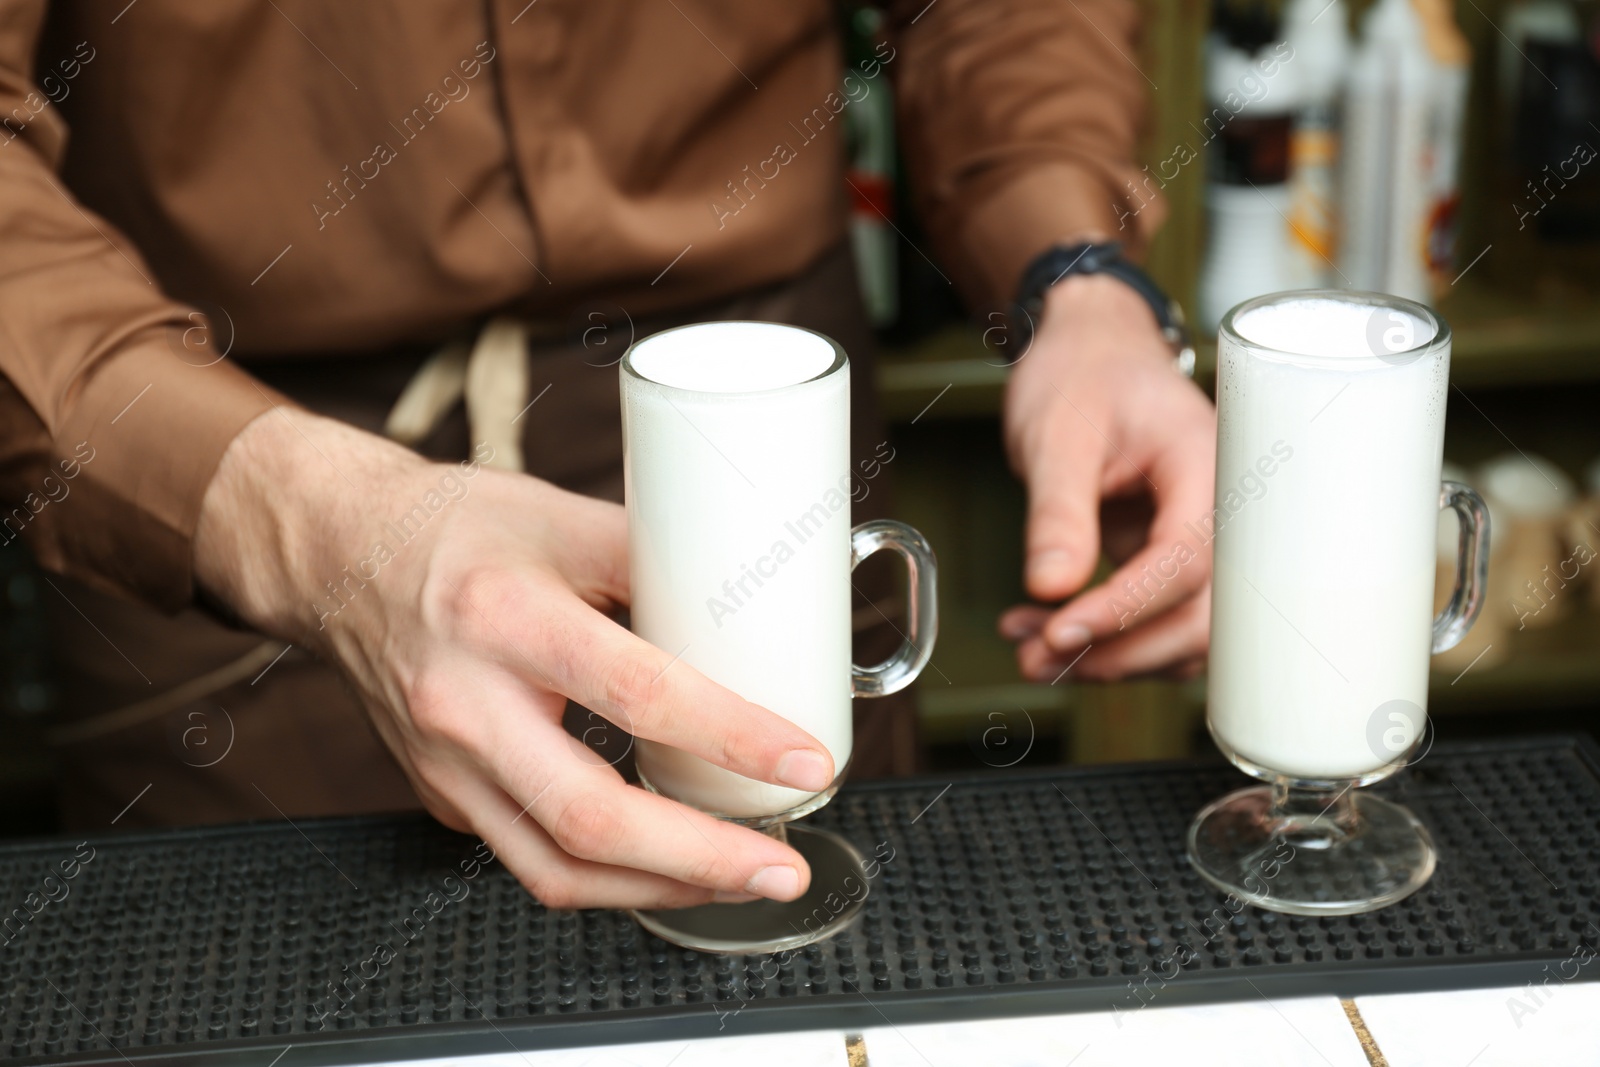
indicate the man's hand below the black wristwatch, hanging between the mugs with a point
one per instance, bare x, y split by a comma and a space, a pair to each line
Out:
1097, 410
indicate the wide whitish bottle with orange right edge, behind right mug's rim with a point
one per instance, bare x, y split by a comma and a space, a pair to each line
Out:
1402, 150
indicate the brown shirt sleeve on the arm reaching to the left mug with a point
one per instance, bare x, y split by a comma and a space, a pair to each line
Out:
114, 414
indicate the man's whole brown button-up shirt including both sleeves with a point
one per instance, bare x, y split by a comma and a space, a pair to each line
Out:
348, 177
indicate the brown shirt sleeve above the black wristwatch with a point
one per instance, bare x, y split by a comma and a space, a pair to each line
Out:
1020, 122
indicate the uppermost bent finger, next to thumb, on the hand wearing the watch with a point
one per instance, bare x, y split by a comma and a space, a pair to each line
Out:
1170, 569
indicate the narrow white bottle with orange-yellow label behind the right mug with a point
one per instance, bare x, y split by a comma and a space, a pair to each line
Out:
1318, 31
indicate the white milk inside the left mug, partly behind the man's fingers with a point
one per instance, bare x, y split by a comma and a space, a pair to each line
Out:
737, 470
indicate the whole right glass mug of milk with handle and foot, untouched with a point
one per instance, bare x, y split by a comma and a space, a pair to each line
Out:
1330, 442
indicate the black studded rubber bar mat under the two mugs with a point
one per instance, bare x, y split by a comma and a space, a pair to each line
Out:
1014, 893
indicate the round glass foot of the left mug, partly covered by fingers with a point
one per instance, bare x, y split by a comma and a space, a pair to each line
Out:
839, 889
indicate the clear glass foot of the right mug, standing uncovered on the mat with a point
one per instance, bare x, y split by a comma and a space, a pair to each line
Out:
1311, 852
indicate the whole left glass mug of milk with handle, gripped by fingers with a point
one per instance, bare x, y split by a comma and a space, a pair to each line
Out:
738, 484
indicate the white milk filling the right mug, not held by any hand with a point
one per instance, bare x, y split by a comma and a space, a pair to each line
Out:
1327, 494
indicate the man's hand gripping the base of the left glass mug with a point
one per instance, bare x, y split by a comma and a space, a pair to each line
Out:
466, 605
